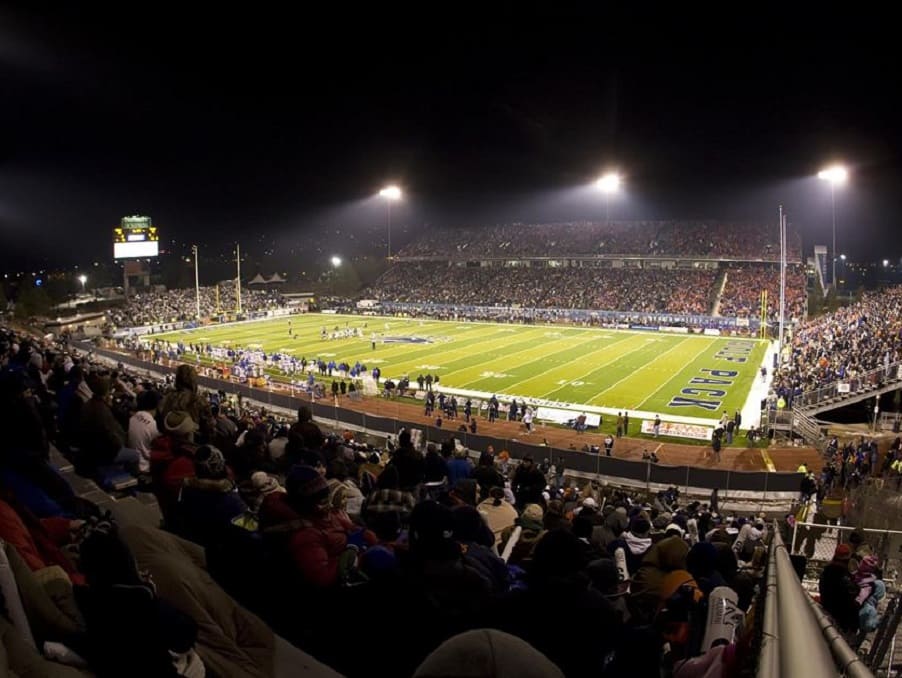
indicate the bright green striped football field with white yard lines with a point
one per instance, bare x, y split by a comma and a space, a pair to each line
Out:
671, 374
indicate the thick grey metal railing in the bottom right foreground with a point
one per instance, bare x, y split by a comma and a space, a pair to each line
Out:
798, 638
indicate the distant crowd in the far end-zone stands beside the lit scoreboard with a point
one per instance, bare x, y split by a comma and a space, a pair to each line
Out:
172, 306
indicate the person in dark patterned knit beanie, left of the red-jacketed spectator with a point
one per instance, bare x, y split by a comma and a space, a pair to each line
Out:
208, 502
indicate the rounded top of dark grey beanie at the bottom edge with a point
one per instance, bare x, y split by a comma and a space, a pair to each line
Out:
487, 653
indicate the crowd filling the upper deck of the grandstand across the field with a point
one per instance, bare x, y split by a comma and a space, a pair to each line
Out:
710, 239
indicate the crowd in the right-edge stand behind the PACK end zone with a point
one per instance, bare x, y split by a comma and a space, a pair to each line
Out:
843, 345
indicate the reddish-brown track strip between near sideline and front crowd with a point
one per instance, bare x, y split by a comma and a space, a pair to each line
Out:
732, 458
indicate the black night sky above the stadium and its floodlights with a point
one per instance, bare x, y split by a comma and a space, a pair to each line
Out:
276, 127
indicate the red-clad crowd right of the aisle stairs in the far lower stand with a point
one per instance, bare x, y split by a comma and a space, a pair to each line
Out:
741, 296
